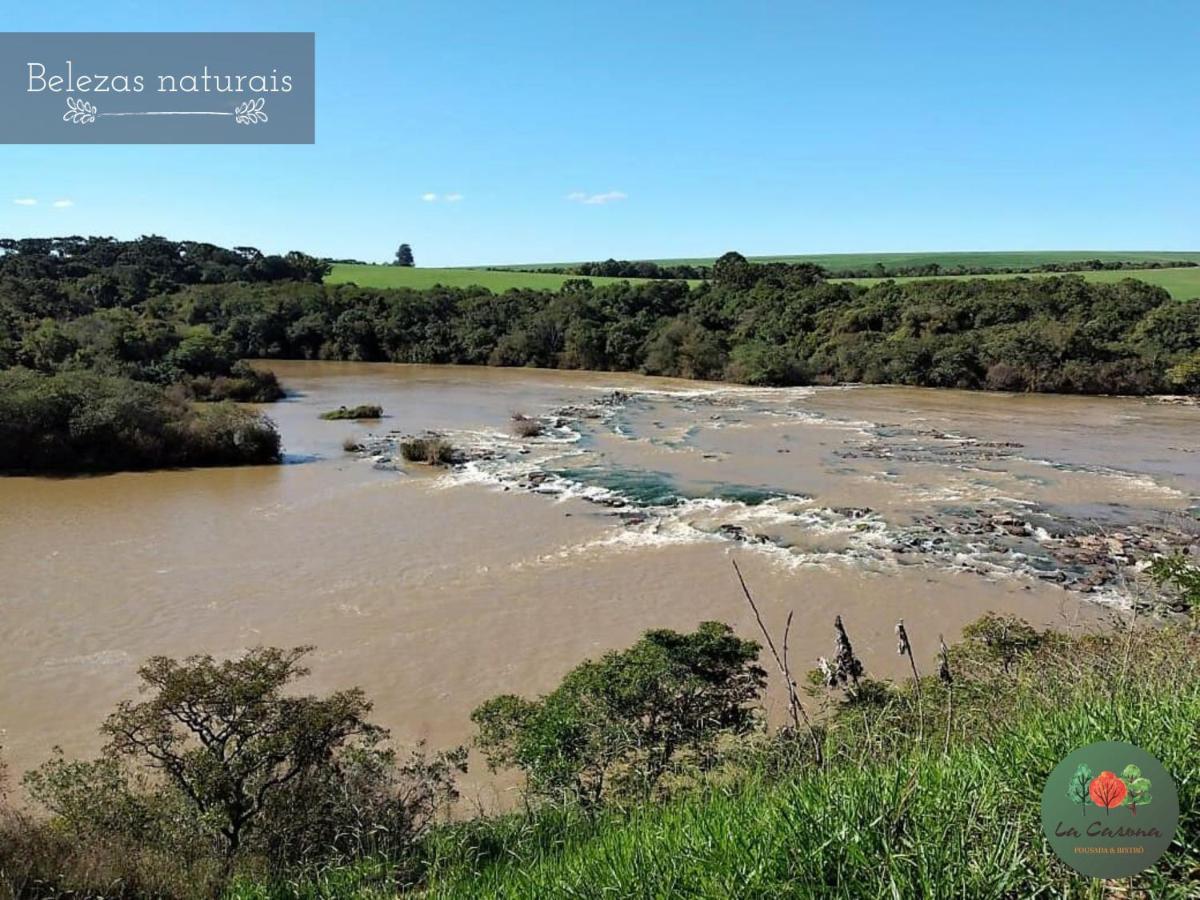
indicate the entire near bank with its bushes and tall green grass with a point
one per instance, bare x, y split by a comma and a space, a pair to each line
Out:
928, 789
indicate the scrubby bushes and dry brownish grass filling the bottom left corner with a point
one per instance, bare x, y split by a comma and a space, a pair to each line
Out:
224, 770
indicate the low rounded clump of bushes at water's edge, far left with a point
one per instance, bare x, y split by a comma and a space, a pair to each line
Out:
80, 422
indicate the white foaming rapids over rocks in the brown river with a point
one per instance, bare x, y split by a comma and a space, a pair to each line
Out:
939, 505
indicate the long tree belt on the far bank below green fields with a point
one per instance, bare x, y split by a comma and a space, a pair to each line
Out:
759, 325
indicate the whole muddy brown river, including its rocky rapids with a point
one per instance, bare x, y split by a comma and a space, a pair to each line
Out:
436, 590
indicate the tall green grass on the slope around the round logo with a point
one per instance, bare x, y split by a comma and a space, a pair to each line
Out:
953, 815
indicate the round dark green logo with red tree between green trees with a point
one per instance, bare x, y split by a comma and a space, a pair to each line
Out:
1109, 811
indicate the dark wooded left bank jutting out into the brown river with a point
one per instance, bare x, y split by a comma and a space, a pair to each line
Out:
93, 380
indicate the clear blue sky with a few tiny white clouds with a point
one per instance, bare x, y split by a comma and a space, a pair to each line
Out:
488, 134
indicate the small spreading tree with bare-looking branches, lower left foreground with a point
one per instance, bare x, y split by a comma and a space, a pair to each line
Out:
227, 735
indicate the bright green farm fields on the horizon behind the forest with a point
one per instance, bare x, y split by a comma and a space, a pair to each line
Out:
1183, 284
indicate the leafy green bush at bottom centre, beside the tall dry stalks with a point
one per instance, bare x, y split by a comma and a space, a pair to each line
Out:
619, 724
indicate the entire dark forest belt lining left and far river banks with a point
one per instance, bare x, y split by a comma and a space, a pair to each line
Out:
93, 331
